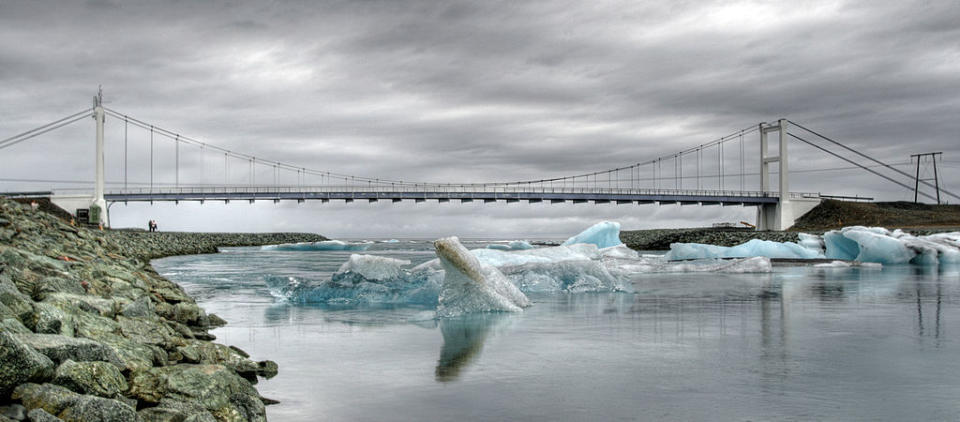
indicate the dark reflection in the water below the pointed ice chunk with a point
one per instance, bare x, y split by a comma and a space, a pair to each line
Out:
463, 339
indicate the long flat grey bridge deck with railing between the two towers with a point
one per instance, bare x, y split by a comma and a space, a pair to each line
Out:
731, 198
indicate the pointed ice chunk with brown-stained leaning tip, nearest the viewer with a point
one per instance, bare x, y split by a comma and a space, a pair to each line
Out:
470, 286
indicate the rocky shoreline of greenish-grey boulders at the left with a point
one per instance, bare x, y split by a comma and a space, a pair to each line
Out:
90, 332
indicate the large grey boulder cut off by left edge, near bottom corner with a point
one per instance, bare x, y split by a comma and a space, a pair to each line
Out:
20, 363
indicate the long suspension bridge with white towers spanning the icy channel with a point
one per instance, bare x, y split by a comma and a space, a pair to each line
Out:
705, 174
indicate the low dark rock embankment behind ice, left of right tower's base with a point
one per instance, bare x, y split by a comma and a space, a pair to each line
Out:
660, 239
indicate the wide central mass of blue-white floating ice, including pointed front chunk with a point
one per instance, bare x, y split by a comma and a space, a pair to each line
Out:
486, 280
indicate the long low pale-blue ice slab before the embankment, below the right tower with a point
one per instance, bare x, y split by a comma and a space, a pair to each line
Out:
755, 247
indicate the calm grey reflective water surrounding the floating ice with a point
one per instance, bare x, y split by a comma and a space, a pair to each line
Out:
799, 344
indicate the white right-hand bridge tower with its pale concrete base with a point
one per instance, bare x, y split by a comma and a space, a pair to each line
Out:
783, 214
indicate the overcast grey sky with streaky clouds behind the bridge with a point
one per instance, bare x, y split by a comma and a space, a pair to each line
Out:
473, 91
